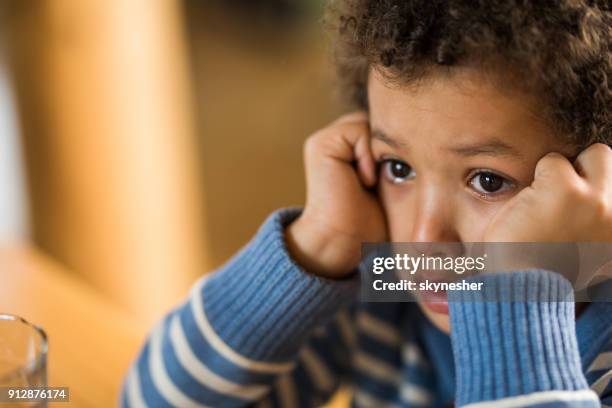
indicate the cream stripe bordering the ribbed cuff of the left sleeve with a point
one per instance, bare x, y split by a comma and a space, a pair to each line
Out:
197, 307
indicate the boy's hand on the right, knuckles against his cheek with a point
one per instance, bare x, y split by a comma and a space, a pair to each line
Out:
564, 203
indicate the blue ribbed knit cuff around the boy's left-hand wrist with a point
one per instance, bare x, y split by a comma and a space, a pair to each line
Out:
263, 305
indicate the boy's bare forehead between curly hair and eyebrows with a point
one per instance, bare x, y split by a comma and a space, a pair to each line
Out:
464, 108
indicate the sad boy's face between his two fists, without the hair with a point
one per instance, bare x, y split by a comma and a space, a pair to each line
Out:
452, 152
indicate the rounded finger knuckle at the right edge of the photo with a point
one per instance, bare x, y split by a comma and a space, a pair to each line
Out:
595, 164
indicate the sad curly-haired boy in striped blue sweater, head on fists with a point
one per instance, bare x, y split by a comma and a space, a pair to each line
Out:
471, 111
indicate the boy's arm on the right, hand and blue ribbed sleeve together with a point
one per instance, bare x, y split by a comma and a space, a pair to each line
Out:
524, 352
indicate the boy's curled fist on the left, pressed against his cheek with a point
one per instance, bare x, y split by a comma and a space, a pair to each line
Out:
340, 212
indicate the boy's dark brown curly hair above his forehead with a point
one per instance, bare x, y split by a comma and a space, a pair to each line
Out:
559, 49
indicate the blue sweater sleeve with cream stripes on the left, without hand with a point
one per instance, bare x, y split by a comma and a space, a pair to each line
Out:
260, 328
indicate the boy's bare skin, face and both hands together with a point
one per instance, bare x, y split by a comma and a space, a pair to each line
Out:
440, 137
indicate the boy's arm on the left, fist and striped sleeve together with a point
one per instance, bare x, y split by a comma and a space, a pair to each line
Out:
240, 335
